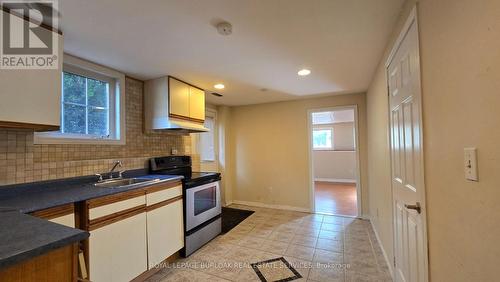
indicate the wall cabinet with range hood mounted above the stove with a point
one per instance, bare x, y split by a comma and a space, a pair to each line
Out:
172, 104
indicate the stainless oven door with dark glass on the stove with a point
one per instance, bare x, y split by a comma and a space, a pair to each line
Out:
202, 204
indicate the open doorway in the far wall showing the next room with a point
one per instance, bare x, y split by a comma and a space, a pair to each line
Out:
334, 161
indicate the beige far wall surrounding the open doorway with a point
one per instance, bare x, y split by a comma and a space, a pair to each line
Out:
270, 151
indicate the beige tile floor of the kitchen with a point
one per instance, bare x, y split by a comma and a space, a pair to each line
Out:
318, 247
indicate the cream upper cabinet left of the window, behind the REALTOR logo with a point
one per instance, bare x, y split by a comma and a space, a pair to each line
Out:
31, 98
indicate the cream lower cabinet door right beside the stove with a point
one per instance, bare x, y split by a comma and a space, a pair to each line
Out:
165, 232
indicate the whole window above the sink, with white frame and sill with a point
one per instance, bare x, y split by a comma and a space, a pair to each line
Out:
92, 106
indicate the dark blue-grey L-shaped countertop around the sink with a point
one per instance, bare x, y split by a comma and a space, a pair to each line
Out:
23, 236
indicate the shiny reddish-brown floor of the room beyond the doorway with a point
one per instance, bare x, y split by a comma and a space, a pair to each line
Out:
336, 198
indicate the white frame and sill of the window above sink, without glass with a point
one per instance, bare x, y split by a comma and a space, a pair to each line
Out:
116, 82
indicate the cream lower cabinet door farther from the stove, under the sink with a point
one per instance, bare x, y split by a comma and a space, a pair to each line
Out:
118, 251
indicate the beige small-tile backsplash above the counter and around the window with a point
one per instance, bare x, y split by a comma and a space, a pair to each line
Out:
22, 161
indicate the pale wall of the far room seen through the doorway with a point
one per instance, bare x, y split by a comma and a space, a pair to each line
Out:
338, 165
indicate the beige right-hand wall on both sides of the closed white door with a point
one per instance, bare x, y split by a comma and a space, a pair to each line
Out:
460, 59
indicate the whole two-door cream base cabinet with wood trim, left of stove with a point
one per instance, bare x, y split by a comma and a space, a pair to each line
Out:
134, 231
